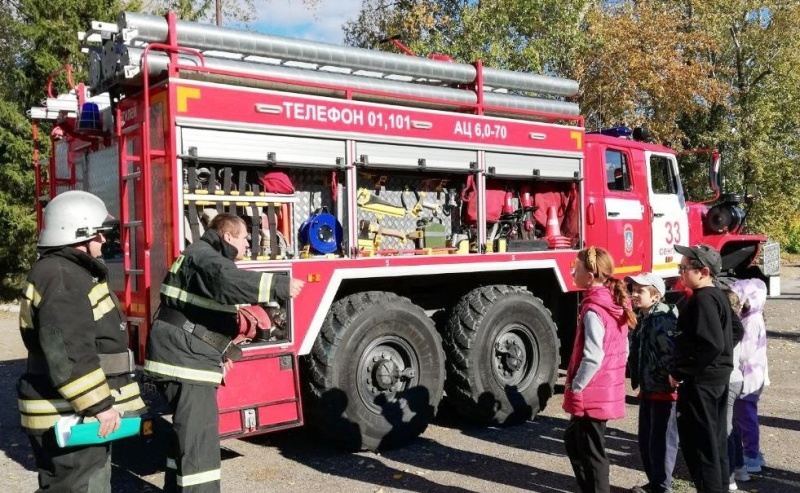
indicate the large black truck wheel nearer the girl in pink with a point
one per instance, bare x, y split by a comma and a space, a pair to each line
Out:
502, 355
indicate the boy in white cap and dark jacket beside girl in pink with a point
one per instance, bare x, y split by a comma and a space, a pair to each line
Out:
651, 352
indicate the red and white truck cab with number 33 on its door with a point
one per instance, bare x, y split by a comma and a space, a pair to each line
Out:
638, 199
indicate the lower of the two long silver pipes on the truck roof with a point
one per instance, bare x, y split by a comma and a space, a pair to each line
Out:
158, 63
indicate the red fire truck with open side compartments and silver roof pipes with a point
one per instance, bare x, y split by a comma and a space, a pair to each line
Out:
433, 208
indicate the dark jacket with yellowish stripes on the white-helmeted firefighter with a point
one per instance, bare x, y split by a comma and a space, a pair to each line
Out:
71, 324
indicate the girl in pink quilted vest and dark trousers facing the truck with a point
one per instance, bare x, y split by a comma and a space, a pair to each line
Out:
595, 384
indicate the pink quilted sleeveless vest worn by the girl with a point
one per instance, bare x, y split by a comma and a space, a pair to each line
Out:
604, 397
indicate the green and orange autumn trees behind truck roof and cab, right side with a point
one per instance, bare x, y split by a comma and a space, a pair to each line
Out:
714, 75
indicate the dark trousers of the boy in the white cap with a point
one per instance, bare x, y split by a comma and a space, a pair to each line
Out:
658, 442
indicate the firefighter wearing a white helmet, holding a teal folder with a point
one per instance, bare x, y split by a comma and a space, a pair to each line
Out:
78, 358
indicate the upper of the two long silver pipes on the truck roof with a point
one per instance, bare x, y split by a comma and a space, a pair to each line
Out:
153, 29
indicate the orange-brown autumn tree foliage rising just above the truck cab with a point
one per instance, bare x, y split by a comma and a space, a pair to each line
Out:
645, 67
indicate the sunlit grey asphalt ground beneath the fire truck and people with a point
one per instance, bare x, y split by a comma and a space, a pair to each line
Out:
452, 456
